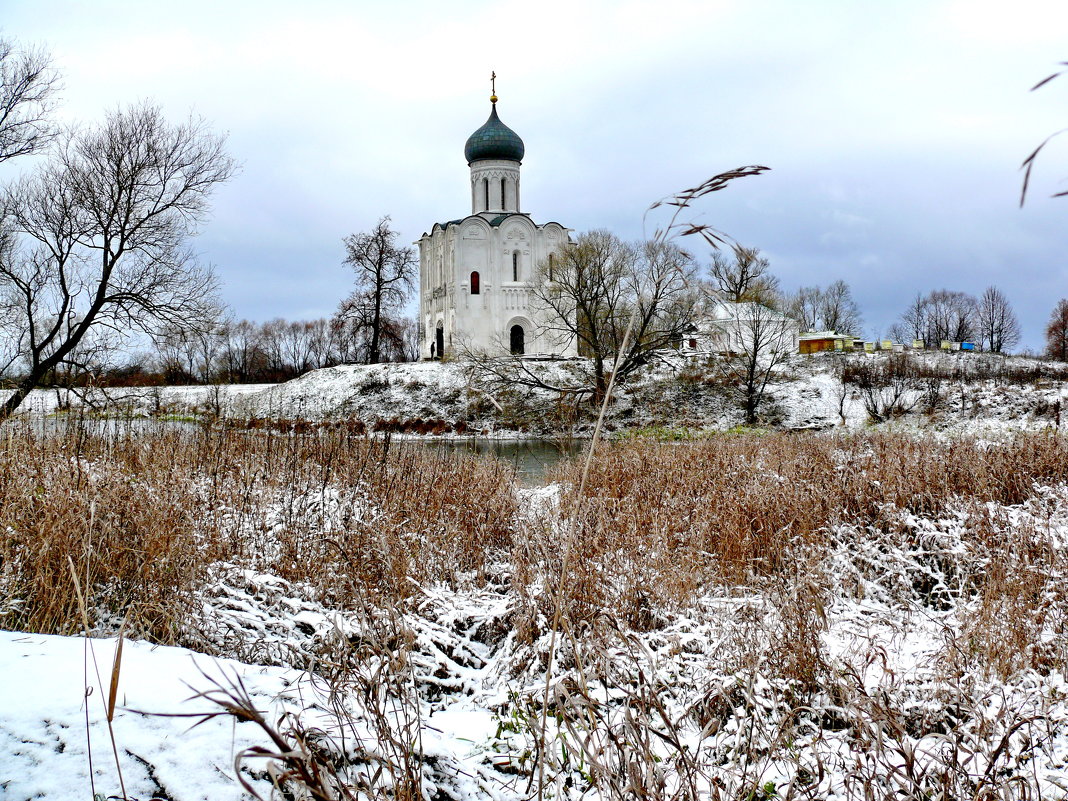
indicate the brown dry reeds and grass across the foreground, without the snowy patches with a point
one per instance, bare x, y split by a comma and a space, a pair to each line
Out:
658, 530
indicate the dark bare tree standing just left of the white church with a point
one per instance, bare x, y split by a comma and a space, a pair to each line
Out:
385, 279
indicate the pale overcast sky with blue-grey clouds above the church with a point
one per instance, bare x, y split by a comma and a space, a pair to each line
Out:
894, 131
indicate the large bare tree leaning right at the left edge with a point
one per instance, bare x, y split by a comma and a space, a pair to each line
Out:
97, 240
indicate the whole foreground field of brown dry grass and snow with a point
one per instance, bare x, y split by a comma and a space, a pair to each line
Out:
866, 616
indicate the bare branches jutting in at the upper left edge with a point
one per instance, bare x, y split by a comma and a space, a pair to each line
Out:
28, 89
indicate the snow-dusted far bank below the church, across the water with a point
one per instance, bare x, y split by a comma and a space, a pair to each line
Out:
806, 395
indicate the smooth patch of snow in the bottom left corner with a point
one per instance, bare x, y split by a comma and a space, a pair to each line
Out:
56, 742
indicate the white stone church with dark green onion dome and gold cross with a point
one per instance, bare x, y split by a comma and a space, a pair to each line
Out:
477, 273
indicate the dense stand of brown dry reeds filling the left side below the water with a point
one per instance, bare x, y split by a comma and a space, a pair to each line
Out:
145, 510
